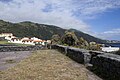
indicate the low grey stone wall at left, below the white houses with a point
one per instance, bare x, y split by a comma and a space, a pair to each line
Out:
19, 48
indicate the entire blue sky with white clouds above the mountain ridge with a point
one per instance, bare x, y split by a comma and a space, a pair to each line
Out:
100, 18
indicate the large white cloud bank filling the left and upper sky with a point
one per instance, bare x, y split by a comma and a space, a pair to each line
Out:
66, 14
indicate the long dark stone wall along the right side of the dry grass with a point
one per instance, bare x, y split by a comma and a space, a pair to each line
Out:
105, 65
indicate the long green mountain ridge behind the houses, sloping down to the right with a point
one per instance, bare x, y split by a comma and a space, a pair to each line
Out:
43, 31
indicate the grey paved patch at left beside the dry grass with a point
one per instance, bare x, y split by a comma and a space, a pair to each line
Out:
10, 59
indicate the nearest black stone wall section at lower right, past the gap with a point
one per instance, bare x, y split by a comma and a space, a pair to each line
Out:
107, 66
